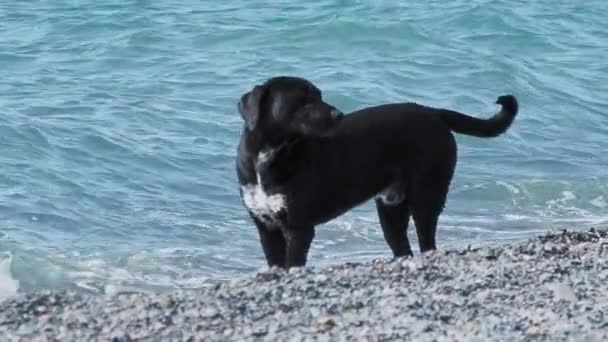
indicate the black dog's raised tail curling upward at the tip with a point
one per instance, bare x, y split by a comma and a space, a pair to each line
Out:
483, 128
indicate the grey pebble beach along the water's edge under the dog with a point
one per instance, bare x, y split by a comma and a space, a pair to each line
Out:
552, 287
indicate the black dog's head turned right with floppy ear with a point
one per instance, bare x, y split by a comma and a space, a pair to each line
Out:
288, 105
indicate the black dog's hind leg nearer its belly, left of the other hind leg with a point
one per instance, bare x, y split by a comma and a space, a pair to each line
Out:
394, 219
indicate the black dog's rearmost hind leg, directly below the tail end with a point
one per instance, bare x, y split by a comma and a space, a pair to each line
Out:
428, 197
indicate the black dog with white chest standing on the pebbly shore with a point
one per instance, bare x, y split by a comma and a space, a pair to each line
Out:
302, 163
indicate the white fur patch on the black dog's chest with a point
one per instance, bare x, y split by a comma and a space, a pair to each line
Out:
262, 205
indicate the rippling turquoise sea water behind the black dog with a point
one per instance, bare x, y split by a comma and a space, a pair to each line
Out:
119, 125
